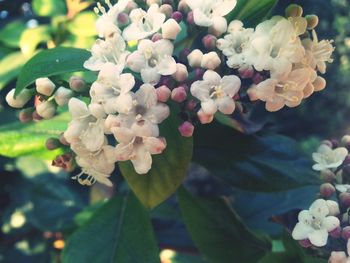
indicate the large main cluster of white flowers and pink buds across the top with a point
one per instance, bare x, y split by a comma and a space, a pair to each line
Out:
189, 52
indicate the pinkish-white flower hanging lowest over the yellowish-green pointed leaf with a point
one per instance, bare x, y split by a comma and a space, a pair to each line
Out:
137, 148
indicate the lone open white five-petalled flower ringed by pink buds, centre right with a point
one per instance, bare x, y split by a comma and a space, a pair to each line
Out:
216, 93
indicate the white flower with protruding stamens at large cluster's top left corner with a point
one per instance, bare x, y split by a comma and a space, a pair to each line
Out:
107, 23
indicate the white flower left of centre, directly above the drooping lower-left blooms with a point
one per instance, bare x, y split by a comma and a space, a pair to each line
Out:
112, 90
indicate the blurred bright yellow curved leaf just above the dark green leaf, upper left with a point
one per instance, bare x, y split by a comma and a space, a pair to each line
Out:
32, 37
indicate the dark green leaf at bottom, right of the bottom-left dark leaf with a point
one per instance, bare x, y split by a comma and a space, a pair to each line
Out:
218, 232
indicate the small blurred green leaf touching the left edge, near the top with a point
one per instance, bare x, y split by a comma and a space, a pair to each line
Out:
11, 33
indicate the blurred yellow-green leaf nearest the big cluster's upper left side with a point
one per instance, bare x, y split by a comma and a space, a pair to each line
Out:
83, 24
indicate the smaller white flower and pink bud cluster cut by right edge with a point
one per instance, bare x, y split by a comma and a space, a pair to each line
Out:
329, 215
